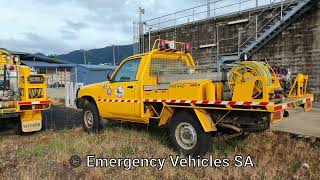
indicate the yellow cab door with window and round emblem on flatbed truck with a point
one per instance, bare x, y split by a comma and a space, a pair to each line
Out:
123, 90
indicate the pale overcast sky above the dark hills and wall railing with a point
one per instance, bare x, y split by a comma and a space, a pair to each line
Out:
61, 26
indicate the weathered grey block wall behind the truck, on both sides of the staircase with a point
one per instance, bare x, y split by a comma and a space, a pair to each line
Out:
298, 47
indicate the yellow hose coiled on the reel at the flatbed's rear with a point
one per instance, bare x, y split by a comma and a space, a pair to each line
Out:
251, 68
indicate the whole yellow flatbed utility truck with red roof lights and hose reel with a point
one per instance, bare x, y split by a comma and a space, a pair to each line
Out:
164, 86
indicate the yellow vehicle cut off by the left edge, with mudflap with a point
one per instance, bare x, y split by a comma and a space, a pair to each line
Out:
22, 93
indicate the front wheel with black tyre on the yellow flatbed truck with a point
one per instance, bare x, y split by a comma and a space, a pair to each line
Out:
91, 118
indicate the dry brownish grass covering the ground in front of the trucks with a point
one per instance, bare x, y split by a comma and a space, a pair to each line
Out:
46, 155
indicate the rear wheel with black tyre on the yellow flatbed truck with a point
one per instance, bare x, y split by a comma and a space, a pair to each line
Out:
187, 135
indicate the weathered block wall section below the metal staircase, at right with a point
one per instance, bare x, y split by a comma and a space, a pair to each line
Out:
298, 47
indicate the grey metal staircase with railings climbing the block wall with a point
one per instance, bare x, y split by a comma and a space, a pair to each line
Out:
266, 27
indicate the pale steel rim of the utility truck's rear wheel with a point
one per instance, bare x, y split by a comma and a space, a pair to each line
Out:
186, 135
